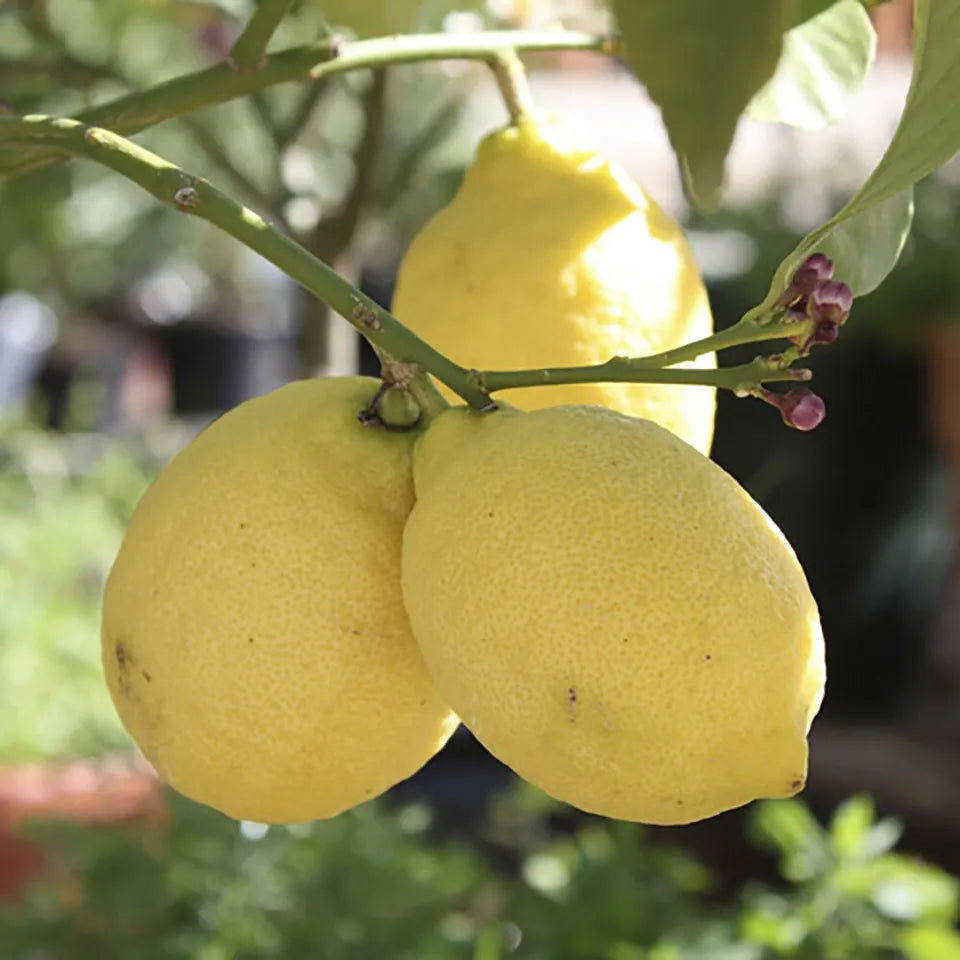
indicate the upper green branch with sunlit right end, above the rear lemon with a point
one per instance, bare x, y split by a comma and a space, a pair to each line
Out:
220, 83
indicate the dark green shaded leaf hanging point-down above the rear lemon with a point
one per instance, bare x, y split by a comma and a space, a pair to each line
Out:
701, 62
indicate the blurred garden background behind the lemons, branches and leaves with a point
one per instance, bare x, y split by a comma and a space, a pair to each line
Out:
124, 328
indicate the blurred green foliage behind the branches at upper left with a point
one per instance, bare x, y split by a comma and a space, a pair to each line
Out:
75, 233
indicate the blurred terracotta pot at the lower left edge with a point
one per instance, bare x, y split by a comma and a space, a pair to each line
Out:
110, 790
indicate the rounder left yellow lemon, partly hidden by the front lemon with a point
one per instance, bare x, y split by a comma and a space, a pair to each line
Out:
254, 637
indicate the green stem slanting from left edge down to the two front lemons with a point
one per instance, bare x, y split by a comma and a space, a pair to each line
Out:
189, 194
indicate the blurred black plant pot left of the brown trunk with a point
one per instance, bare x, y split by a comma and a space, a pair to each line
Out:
215, 367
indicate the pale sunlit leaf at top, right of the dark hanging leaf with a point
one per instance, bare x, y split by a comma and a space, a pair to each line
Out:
823, 64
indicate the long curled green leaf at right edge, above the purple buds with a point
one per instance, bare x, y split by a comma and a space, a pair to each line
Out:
870, 230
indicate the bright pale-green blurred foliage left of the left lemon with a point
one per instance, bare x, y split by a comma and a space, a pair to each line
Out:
63, 506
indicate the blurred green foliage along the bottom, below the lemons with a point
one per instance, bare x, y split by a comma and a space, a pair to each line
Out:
377, 882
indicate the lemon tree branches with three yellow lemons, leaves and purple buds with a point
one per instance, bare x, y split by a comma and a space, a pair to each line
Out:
329, 578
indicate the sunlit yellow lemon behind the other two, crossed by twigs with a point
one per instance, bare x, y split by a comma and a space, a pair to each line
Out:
551, 256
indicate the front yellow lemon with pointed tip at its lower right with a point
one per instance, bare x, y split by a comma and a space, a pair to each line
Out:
610, 613
